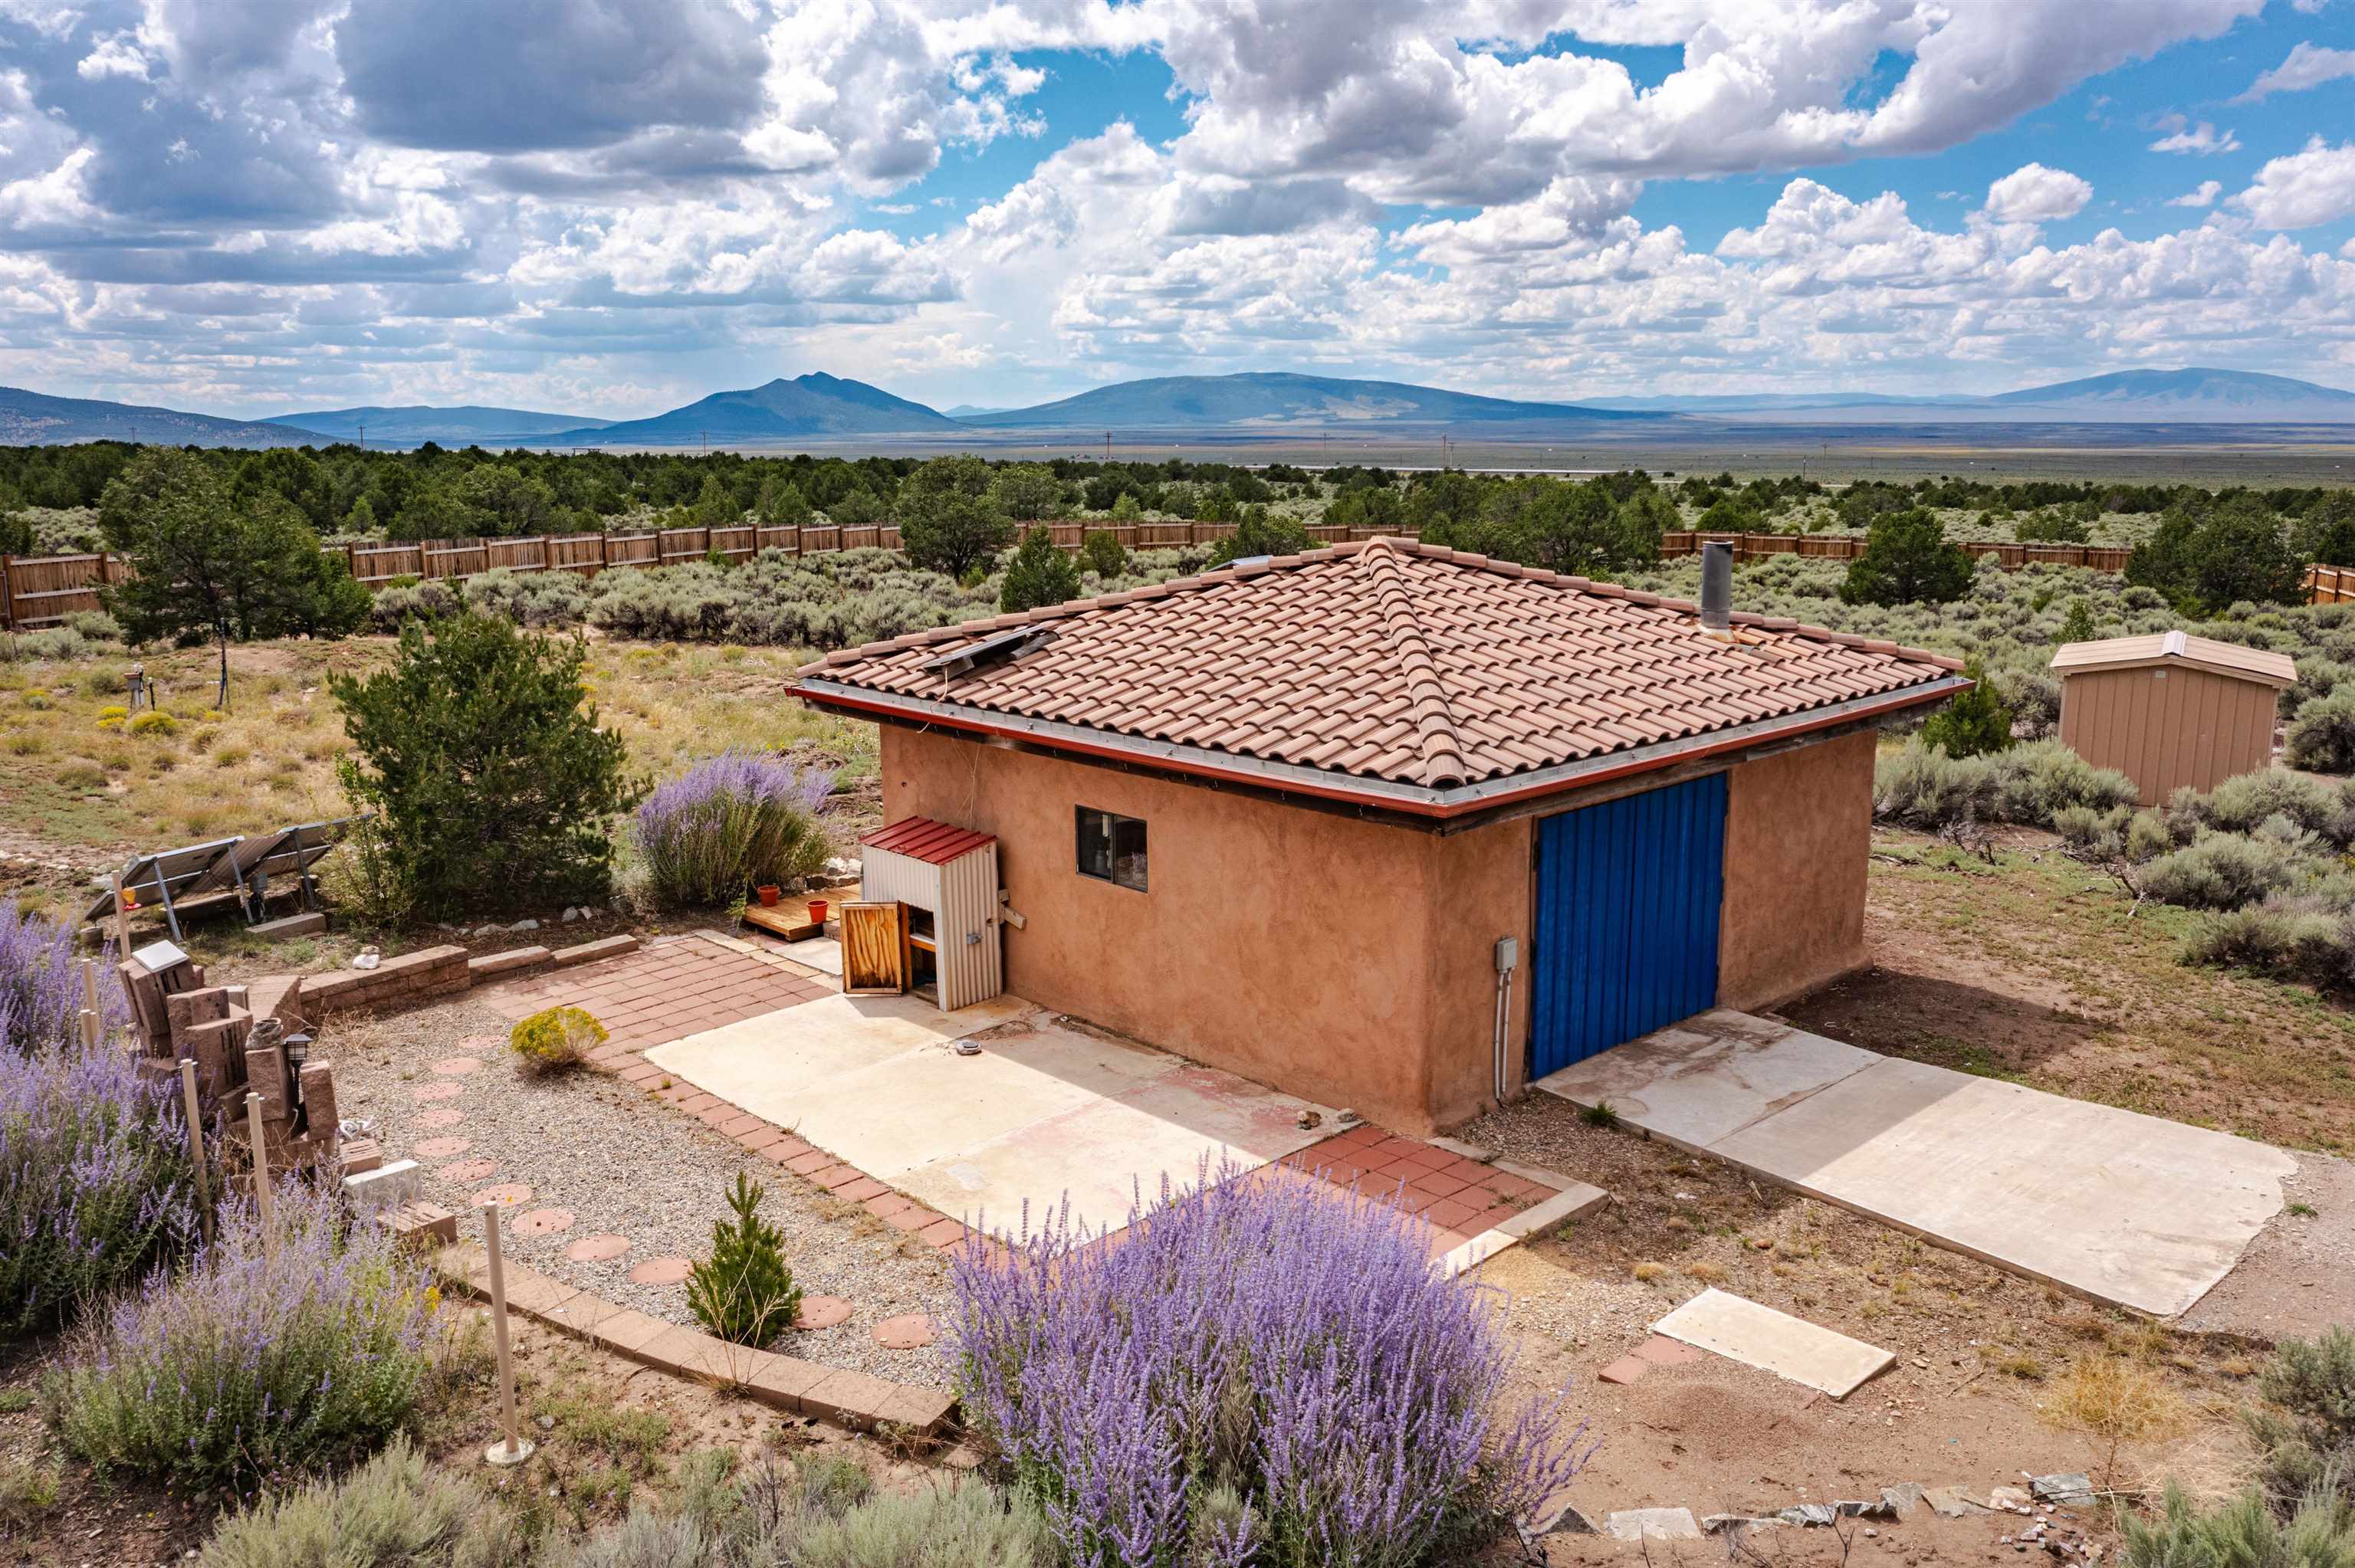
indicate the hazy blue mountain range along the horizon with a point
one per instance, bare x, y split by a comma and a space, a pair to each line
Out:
818, 408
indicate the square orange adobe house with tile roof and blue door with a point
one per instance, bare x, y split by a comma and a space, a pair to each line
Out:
1398, 828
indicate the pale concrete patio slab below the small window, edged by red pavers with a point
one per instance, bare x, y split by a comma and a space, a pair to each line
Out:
1042, 1115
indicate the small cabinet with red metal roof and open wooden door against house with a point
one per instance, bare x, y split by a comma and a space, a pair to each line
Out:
946, 882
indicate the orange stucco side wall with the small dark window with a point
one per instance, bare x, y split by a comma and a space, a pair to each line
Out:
1285, 945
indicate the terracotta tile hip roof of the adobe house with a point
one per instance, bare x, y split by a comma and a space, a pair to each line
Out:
1393, 660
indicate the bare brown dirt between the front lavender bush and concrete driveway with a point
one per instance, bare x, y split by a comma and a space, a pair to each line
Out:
1970, 1402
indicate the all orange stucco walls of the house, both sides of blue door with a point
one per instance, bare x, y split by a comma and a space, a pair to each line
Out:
1353, 962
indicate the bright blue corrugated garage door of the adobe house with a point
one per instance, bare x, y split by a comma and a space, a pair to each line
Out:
1626, 919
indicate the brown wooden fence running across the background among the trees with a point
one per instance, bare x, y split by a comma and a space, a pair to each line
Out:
46, 590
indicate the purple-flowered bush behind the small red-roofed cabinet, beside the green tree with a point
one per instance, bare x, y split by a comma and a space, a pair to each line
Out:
731, 823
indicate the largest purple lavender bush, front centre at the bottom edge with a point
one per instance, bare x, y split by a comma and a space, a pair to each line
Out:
1263, 1371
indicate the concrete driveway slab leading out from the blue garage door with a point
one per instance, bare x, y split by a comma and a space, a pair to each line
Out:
2125, 1209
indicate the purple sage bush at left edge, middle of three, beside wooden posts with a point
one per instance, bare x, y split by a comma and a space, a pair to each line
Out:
93, 1181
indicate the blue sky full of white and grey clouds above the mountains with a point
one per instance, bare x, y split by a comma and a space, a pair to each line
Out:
616, 206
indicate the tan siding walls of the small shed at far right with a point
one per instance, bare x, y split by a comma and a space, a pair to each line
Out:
2168, 726
